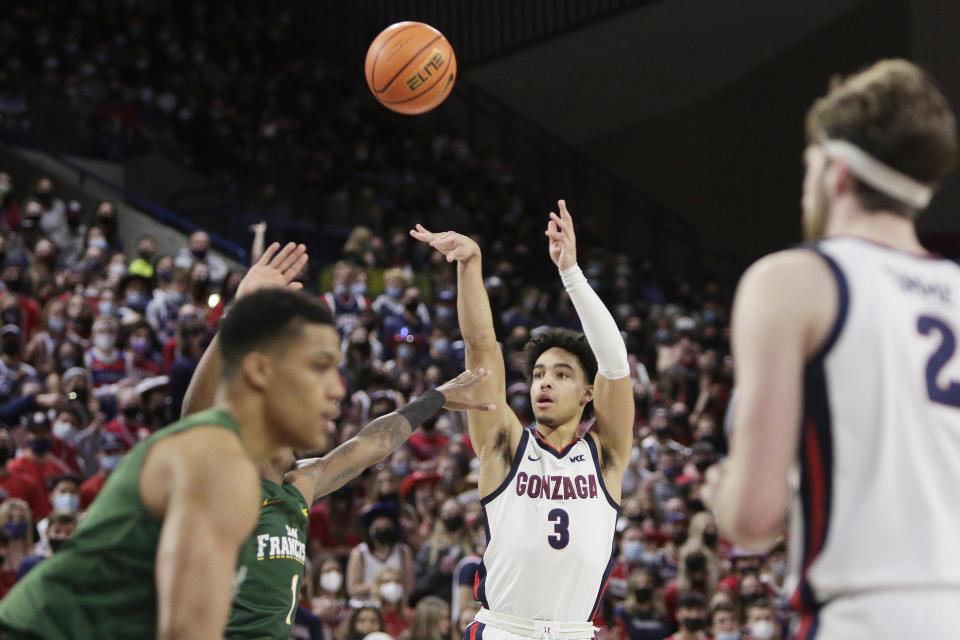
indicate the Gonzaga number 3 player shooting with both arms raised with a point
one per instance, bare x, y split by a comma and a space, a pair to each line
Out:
550, 498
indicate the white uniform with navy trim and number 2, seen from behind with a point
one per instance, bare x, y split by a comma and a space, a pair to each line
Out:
874, 531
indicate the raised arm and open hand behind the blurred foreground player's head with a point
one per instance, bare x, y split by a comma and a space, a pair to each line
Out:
276, 268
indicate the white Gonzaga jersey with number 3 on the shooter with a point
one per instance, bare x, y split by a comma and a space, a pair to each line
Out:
550, 528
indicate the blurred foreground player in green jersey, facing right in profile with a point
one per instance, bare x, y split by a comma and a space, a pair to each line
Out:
156, 555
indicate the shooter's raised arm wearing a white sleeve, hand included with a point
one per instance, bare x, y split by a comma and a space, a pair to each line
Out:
613, 389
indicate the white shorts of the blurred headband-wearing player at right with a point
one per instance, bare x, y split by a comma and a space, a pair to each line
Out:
879, 615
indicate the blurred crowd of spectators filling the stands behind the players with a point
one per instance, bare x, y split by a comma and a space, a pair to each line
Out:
101, 333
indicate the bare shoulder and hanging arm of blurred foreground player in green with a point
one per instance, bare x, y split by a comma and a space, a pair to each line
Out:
209, 501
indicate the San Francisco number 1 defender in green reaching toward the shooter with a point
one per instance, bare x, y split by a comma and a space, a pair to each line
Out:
273, 564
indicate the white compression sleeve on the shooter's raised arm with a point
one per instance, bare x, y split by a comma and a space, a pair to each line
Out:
598, 325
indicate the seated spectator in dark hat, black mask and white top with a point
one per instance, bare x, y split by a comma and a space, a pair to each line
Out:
383, 549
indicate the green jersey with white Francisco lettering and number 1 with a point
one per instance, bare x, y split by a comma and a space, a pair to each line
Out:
266, 605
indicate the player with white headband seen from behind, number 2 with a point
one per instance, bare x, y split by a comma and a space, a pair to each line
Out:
845, 369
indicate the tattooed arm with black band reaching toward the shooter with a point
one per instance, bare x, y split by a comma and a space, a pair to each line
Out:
319, 476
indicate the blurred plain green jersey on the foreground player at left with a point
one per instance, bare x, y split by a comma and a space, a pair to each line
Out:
101, 583
